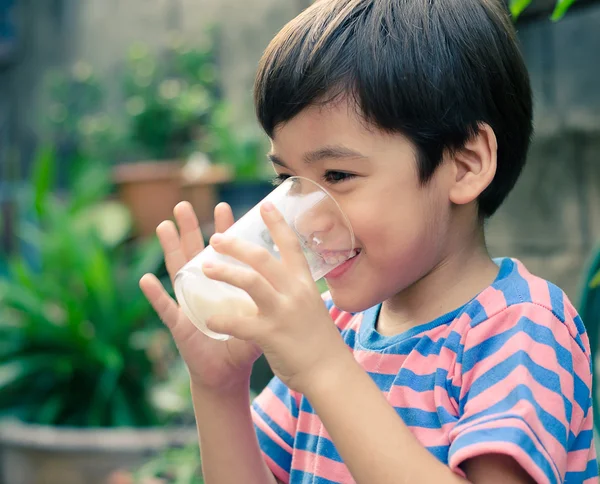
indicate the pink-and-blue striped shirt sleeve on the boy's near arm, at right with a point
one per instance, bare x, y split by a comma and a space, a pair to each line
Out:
525, 384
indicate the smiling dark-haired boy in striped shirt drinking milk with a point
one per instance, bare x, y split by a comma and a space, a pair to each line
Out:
416, 116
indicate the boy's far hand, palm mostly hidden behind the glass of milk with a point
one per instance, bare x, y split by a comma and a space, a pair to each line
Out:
213, 365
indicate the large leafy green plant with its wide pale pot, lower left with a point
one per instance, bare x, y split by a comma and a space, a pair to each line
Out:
80, 348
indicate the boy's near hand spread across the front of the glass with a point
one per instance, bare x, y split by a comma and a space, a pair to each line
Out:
293, 326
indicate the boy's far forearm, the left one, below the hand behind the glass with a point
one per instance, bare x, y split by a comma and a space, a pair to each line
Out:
228, 444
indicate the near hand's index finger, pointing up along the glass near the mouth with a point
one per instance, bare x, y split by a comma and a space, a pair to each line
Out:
284, 237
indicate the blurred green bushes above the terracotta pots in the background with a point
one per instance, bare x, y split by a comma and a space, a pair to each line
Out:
170, 106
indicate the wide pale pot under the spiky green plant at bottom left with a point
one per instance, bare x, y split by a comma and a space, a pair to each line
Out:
35, 454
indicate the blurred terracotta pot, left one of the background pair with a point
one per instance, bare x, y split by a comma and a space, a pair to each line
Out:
150, 190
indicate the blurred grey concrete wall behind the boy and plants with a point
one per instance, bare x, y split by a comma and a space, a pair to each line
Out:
551, 221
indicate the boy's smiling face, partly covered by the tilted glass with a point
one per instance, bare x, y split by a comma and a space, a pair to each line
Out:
400, 225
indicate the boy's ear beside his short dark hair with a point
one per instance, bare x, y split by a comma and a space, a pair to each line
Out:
474, 166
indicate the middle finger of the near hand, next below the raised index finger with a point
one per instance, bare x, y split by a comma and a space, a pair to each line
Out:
257, 257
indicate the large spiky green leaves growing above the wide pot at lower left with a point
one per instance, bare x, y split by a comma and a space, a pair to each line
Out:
79, 344
